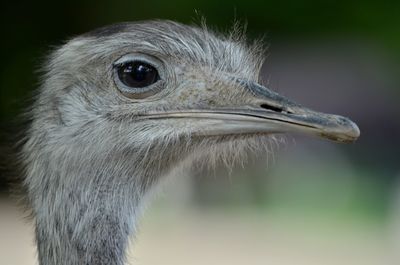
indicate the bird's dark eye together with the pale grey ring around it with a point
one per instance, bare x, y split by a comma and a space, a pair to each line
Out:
138, 76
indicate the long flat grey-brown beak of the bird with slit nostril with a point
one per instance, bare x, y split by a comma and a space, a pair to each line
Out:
269, 112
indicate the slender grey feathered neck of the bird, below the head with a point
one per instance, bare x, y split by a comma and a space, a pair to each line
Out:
85, 227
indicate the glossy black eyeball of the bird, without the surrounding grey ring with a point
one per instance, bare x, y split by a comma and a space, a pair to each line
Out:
137, 74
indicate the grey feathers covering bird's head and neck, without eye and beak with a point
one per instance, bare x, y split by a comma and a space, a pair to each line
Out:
88, 164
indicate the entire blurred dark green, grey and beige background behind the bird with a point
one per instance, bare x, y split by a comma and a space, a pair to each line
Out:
314, 202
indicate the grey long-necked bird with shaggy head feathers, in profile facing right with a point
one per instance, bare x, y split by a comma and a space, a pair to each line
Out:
121, 107
